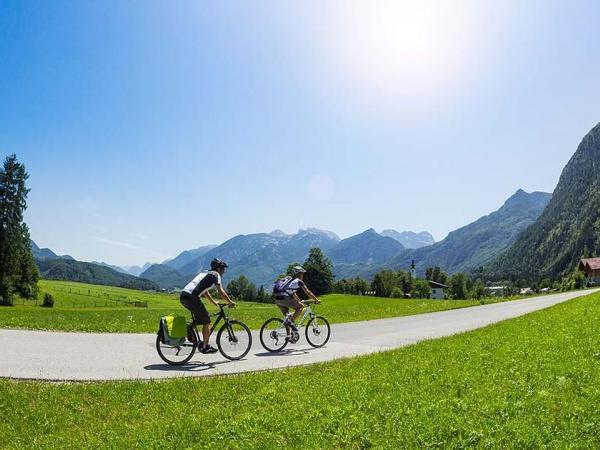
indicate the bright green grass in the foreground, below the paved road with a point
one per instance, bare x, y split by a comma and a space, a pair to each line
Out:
531, 382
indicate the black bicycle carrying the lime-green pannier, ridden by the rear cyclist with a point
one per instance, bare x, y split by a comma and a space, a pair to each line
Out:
234, 340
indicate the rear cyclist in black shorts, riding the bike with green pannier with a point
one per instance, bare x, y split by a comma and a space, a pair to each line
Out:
200, 286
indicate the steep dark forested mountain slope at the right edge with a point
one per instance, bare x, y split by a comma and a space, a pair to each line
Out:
568, 229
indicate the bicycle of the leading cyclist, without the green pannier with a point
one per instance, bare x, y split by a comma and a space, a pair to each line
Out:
276, 334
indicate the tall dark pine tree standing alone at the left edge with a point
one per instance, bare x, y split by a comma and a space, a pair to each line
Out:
17, 270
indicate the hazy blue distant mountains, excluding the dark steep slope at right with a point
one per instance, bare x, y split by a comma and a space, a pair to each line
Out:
262, 257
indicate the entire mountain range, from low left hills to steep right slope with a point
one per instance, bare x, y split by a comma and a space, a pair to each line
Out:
531, 235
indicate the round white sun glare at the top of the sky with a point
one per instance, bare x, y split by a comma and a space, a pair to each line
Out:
401, 47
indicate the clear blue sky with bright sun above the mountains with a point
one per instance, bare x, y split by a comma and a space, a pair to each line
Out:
153, 127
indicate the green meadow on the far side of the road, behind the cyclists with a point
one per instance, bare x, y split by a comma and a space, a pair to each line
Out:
82, 307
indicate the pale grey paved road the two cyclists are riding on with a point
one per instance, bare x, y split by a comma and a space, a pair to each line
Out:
91, 356
